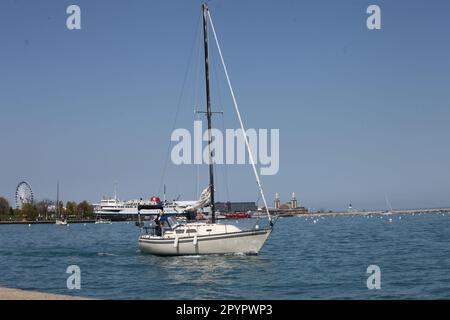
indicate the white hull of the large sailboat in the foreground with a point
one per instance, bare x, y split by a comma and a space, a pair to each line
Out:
245, 242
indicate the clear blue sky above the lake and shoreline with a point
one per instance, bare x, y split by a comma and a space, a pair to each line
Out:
361, 113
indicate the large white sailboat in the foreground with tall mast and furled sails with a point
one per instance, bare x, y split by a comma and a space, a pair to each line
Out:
170, 237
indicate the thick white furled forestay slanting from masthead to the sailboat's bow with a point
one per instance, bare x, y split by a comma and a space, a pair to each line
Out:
252, 160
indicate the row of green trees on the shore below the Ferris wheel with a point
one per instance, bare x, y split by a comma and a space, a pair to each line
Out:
46, 210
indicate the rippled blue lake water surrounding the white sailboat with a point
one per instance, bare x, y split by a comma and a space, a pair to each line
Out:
327, 259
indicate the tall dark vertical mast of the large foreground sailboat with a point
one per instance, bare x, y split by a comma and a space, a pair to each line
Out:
208, 110
